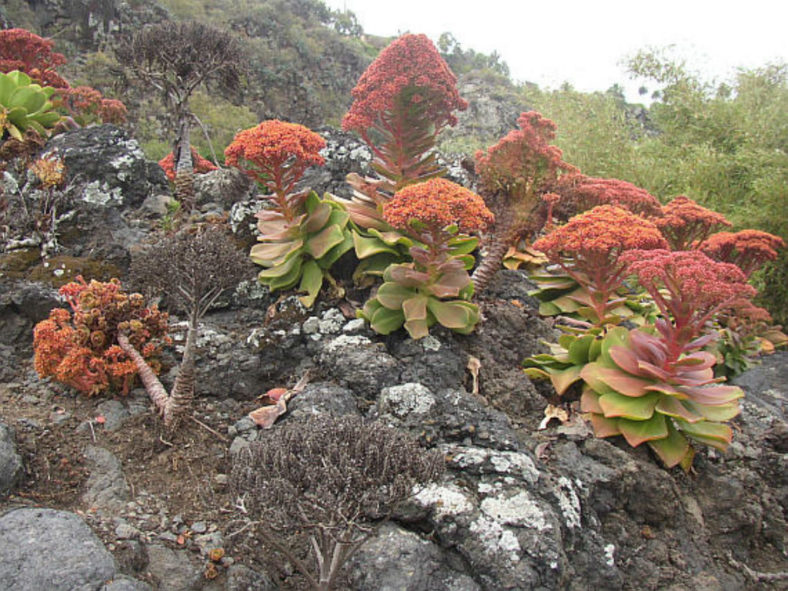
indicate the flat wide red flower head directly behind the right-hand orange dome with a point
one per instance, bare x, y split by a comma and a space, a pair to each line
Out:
580, 193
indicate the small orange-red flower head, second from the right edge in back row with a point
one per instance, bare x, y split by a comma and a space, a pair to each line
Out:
686, 225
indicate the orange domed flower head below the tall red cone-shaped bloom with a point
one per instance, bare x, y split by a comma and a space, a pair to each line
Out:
438, 203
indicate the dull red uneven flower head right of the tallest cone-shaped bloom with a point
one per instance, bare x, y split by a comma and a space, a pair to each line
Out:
522, 161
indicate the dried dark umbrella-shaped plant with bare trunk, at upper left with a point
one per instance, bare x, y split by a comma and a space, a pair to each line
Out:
176, 59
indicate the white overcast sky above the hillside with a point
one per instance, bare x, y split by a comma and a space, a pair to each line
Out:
584, 41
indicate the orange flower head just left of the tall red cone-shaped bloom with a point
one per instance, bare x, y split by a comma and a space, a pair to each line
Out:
275, 153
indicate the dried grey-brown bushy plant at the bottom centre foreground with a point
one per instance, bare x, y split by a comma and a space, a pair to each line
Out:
328, 484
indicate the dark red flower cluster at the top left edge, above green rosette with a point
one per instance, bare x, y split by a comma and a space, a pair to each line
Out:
22, 50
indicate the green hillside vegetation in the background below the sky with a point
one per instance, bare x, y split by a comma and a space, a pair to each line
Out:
724, 145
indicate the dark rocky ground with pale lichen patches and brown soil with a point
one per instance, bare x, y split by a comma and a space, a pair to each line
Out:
98, 496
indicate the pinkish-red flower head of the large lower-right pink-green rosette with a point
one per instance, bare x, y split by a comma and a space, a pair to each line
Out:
688, 287
